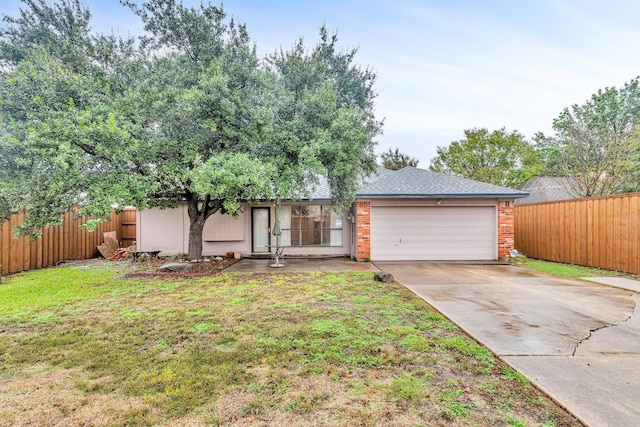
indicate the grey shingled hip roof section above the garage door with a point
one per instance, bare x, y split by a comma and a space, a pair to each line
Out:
411, 182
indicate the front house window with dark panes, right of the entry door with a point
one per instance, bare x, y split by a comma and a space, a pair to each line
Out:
310, 225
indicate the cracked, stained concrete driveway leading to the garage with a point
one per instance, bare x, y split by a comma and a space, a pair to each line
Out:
578, 341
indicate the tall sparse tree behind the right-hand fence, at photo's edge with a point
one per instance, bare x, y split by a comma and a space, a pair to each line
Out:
597, 143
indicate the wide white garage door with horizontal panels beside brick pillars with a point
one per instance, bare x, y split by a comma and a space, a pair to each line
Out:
433, 233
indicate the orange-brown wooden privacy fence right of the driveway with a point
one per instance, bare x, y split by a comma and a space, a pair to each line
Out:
596, 232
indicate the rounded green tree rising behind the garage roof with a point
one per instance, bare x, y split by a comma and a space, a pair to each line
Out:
497, 157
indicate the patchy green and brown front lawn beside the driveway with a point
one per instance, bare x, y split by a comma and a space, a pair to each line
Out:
84, 345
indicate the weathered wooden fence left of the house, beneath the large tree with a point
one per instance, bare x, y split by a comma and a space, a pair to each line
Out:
67, 242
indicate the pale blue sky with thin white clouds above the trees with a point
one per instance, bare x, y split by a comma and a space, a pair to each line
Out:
447, 66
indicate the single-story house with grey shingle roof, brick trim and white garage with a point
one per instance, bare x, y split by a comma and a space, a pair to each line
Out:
410, 214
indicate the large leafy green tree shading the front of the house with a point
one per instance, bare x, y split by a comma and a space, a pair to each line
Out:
189, 113
